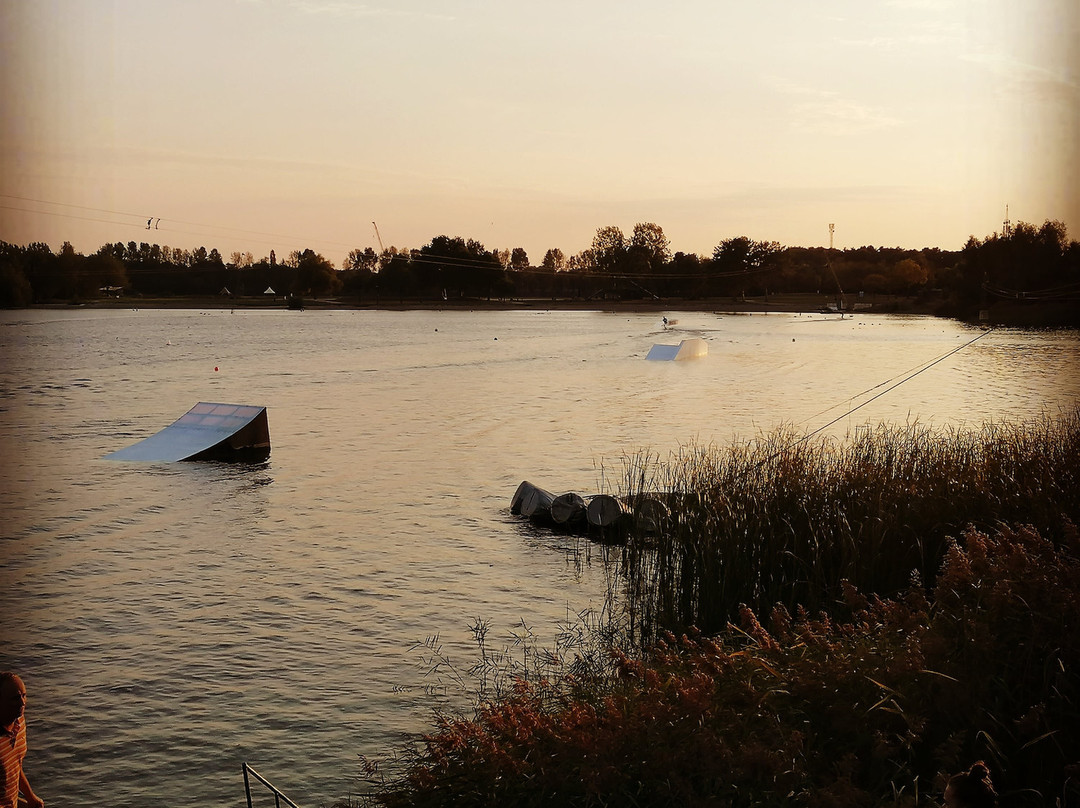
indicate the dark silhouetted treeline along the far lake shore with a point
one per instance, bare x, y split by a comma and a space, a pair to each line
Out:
1031, 267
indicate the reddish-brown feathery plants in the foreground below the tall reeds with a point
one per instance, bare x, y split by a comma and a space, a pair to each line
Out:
800, 710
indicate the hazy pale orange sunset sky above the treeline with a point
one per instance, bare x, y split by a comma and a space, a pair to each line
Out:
286, 125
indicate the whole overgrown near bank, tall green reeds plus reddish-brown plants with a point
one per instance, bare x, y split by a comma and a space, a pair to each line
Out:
821, 672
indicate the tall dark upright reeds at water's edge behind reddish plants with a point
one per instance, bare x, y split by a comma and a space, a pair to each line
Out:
787, 519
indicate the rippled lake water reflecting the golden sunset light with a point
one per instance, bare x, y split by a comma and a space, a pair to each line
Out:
174, 621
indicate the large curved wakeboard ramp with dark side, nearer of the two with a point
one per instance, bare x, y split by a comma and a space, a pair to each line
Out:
232, 433
